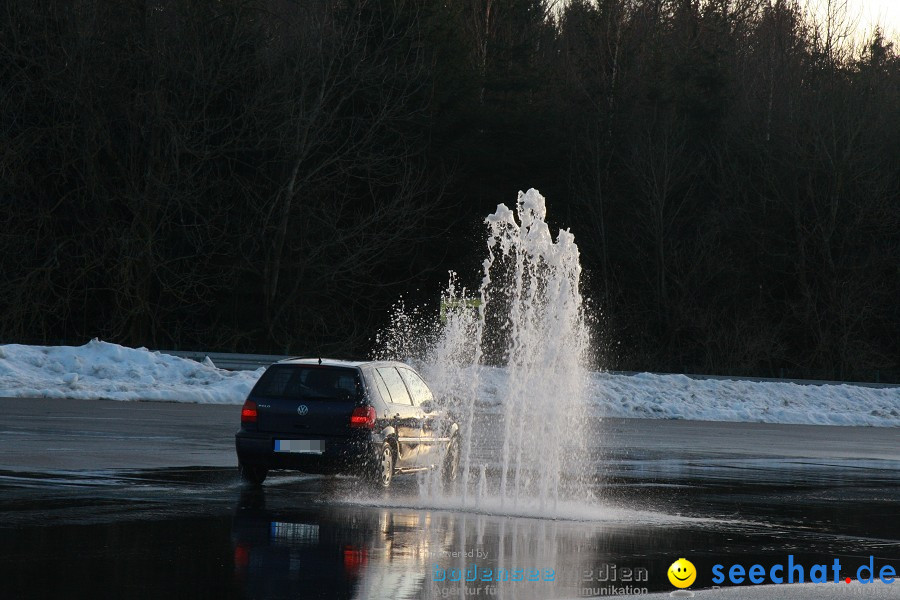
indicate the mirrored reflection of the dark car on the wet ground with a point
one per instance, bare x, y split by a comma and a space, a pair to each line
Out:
346, 552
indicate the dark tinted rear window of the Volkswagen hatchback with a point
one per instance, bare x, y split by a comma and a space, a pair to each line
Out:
309, 382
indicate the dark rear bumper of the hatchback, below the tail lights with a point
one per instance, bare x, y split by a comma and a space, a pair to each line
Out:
342, 455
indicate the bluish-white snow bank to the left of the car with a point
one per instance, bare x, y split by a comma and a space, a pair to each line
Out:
103, 370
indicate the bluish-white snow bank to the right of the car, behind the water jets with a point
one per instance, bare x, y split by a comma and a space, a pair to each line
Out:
651, 396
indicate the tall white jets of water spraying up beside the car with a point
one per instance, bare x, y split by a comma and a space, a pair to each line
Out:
524, 342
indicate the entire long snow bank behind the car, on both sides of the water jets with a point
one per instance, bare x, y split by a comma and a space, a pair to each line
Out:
104, 370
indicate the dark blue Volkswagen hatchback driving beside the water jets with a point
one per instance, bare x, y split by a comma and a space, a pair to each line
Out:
374, 419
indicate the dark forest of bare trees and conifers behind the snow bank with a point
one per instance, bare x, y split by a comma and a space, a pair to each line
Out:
270, 176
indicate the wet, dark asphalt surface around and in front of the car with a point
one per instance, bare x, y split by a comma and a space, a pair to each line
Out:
119, 499
